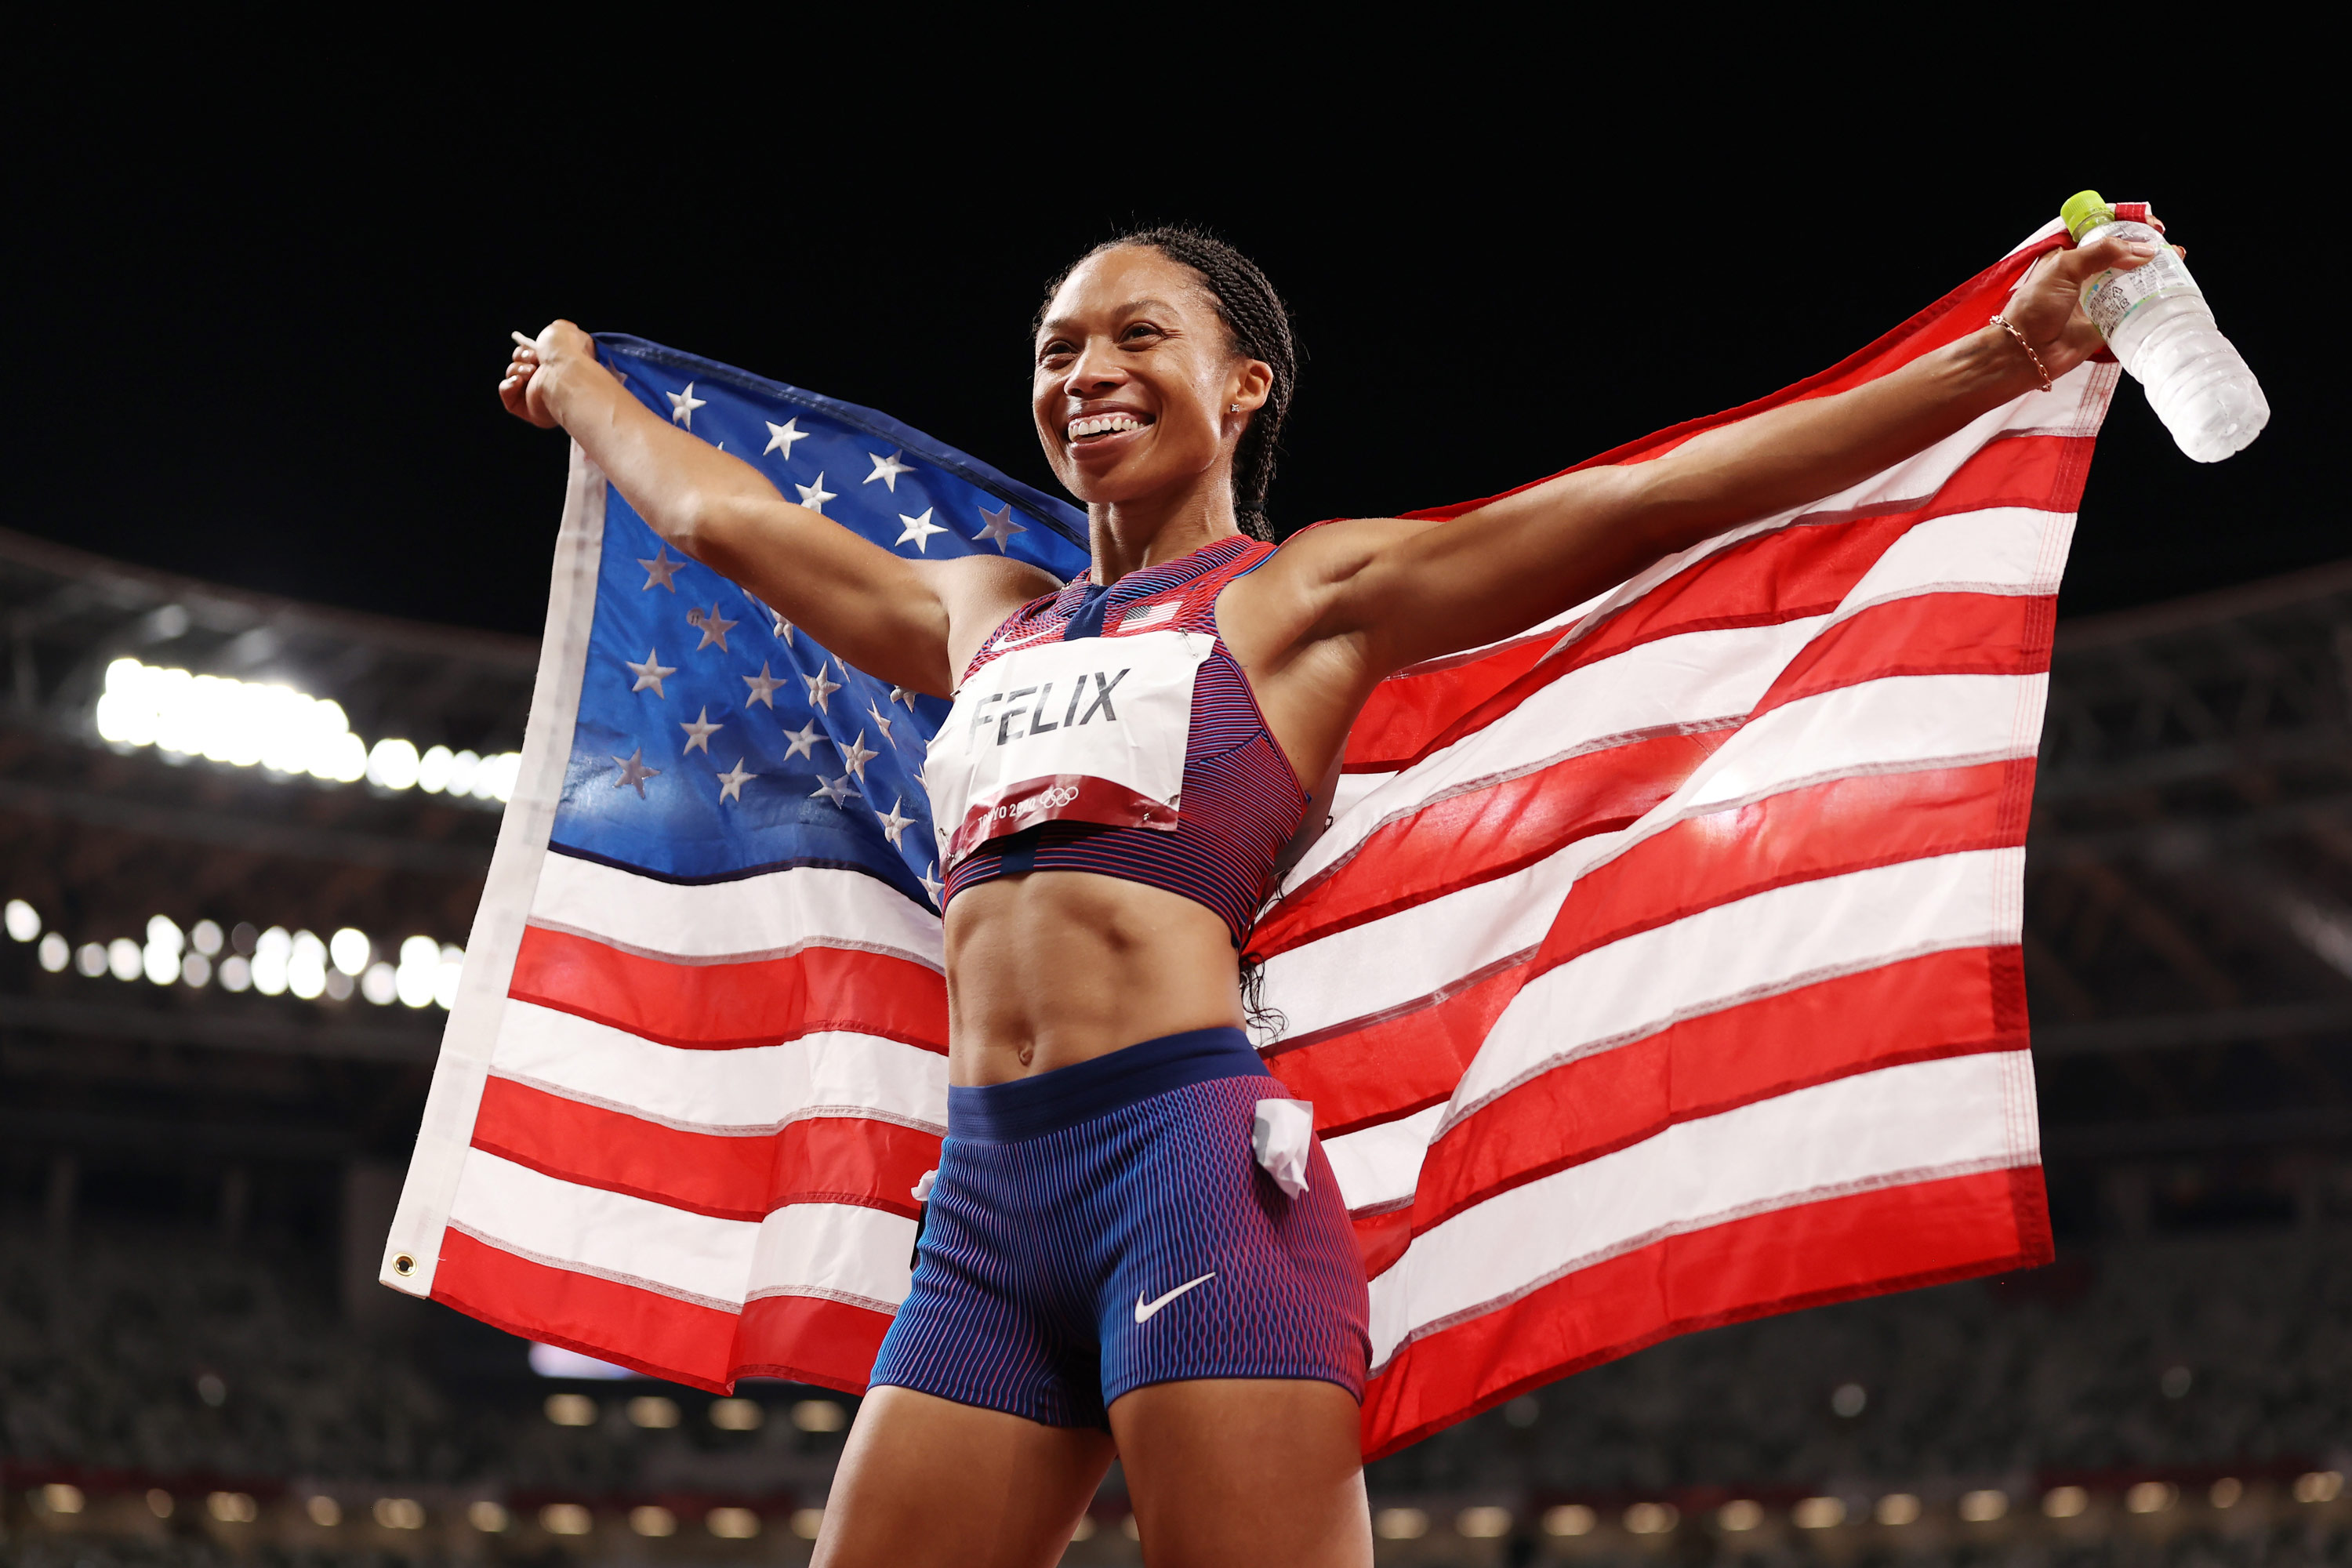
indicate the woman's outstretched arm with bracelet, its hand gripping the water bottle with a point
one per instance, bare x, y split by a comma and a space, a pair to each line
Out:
1417, 591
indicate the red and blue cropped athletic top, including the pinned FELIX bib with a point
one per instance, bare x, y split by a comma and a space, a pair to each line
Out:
1060, 753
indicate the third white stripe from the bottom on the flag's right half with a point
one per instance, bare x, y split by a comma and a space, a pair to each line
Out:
1899, 723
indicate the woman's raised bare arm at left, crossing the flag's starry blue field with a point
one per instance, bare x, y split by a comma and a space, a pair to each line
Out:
897, 619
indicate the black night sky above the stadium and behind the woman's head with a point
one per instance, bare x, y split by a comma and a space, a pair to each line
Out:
258, 330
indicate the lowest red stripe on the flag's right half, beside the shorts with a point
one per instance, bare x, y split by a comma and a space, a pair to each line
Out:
1803, 1257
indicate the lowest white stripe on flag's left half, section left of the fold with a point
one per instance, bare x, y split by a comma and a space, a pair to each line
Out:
606, 1233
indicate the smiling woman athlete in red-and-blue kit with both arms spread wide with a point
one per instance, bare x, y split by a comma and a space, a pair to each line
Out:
1104, 1268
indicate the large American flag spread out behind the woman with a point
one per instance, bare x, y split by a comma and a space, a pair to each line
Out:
1659, 967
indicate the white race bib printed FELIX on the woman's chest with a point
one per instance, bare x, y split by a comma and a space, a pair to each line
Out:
1090, 732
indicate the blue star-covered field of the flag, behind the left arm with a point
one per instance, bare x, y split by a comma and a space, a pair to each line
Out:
714, 737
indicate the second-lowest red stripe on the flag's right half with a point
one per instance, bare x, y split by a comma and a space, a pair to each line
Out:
1916, 1010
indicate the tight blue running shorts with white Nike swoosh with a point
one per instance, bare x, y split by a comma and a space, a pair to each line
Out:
1107, 1226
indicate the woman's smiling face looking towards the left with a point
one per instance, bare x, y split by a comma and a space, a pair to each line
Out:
1137, 380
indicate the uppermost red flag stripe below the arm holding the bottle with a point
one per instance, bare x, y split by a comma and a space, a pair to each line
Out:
1760, 582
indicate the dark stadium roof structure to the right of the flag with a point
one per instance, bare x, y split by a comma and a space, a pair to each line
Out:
2189, 906
